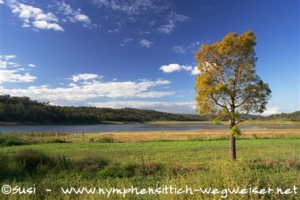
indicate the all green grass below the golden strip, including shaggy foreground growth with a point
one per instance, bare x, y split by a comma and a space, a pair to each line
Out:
261, 163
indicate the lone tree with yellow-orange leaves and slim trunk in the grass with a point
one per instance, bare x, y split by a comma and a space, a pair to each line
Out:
227, 85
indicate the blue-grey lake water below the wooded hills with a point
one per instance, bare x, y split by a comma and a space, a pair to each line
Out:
128, 127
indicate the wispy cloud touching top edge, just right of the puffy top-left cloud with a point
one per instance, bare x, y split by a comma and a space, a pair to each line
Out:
73, 15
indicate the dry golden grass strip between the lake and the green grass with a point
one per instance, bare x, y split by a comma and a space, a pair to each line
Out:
144, 136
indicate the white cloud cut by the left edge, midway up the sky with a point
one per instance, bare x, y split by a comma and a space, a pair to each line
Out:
12, 72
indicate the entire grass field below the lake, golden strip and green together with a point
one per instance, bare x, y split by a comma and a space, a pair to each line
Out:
268, 165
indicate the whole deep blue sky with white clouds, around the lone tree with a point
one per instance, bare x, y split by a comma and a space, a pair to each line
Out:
139, 53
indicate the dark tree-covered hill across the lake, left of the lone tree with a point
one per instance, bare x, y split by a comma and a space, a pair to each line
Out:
26, 111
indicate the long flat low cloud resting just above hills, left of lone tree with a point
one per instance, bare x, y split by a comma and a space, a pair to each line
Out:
170, 107
